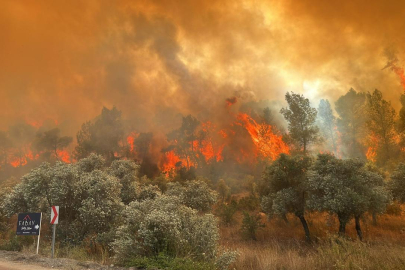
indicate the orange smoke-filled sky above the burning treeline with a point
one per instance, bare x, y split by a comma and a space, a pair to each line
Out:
156, 60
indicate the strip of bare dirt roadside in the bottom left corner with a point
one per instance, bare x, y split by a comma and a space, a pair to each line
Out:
10, 260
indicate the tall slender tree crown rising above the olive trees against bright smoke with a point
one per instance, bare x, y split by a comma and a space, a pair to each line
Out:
301, 121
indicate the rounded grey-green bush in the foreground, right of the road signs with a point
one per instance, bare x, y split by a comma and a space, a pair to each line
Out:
165, 225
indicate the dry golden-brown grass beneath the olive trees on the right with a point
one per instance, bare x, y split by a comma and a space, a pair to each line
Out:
282, 246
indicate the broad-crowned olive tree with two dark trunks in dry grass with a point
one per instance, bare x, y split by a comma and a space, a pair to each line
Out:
345, 188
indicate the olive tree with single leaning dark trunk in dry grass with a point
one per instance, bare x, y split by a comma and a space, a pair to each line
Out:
285, 182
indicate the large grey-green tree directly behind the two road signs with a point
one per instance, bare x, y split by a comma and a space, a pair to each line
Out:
88, 196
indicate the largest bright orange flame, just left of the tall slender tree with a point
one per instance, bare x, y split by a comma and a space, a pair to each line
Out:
267, 143
